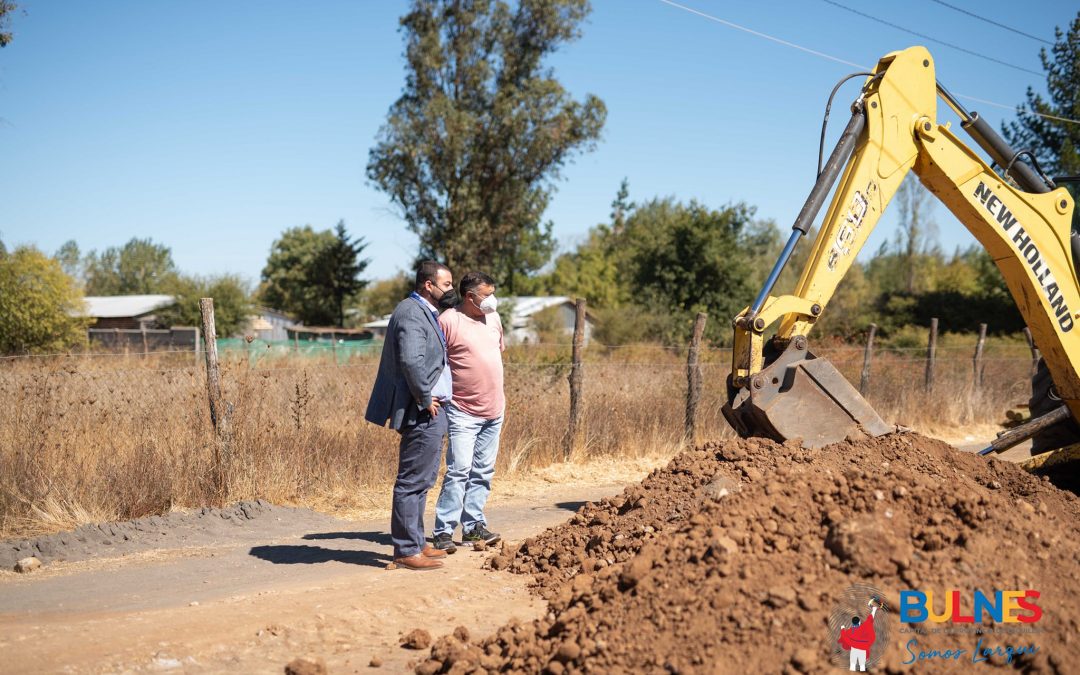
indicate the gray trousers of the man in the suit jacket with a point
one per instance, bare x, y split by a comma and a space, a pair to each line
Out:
418, 455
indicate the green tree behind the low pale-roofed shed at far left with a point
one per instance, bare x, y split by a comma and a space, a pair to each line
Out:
140, 267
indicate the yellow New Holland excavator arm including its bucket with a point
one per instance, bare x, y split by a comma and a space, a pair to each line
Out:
778, 388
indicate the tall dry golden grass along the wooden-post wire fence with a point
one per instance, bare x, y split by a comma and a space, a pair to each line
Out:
91, 439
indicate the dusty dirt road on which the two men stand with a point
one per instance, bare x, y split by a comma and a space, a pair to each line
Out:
262, 596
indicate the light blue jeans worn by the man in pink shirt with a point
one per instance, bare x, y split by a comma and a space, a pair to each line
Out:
470, 465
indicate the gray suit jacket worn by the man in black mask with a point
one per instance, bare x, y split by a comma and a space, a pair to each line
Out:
413, 359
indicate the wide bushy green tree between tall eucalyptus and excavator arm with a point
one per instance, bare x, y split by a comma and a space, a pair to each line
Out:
651, 271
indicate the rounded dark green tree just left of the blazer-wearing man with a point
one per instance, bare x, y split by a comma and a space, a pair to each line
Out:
314, 275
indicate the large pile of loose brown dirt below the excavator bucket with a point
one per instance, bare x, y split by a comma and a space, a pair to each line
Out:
735, 557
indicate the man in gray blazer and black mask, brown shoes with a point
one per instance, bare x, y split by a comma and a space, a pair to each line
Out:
412, 386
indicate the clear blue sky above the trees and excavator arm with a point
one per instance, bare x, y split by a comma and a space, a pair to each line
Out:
213, 127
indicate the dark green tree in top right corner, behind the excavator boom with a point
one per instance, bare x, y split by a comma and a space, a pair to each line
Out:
1056, 142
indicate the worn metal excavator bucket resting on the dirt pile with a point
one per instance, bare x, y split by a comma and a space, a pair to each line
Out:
802, 397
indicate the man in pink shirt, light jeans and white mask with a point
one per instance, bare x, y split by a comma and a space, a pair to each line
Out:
475, 347
